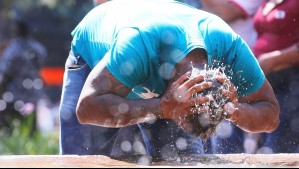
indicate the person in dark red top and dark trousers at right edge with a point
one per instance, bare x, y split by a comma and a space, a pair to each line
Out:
277, 50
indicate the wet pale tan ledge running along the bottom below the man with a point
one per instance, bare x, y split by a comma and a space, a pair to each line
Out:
219, 160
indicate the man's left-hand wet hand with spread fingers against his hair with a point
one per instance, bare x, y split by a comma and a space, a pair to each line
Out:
178, 101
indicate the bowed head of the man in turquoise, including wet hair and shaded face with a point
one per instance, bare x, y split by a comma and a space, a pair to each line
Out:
207, 116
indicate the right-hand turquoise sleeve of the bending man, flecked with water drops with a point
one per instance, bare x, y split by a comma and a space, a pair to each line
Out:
229, 51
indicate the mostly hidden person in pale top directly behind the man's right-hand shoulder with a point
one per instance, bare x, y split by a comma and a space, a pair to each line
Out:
239, 15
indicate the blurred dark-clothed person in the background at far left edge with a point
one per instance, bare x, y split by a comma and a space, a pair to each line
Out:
20, 83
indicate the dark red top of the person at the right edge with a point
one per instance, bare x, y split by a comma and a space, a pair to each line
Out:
278, 29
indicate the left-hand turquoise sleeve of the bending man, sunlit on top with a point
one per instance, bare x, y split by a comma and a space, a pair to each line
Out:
128, 59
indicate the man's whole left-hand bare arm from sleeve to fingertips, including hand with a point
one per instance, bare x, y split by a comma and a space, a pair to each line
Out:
102, 101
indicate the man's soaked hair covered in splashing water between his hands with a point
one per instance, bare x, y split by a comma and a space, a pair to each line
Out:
207, 116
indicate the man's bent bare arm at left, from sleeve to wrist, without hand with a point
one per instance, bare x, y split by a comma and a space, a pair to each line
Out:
102, 102
